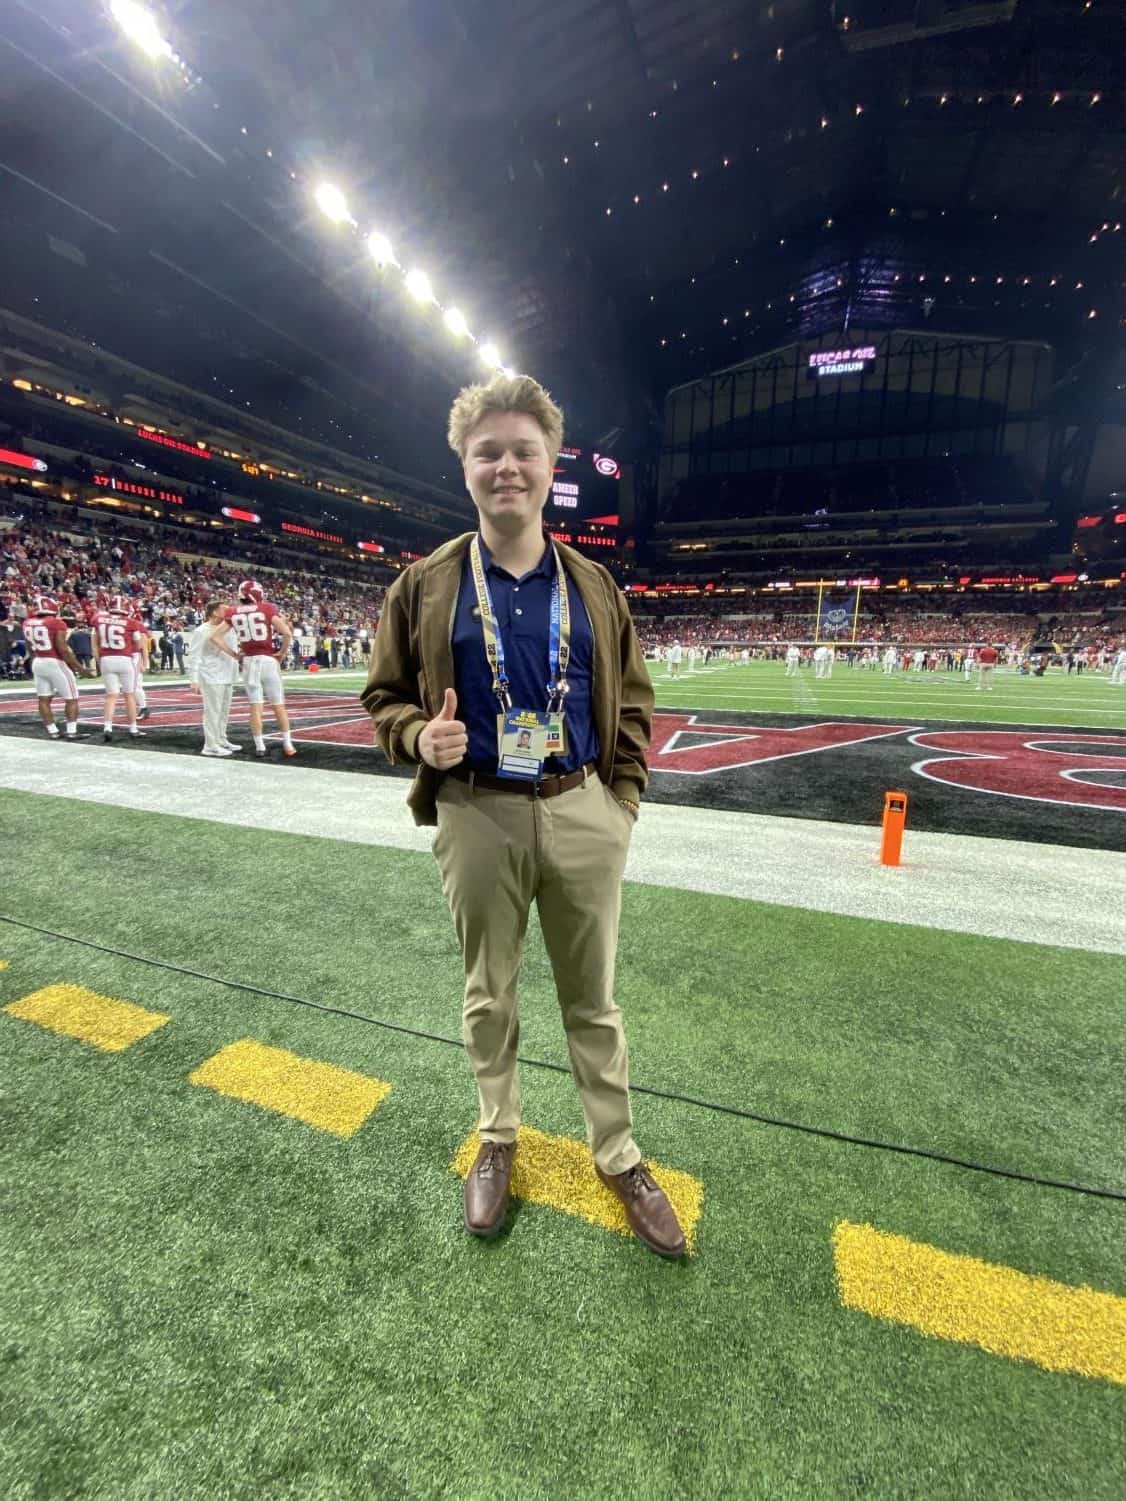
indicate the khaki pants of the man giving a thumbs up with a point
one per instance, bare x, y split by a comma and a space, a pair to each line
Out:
498, 853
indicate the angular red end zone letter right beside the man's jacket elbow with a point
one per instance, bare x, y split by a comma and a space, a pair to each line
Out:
732, 747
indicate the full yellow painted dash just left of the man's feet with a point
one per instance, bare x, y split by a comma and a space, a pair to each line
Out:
316, 1093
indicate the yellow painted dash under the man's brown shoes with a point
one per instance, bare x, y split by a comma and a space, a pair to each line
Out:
561, 1173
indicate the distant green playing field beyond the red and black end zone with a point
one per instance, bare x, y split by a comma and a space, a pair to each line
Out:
1086, 699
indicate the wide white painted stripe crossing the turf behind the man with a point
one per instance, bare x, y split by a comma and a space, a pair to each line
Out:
996, 888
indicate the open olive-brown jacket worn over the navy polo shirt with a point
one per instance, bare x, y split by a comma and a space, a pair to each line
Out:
412, 666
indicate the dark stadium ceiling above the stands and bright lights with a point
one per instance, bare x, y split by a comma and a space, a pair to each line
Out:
622, 193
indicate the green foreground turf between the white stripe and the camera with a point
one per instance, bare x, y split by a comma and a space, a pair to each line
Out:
203, 1299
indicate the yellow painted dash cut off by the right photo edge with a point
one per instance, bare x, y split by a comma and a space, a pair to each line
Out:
975, 1302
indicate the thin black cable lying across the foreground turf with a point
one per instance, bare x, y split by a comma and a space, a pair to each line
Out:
558, 1068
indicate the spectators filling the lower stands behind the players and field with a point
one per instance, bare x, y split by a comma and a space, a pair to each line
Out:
172, 577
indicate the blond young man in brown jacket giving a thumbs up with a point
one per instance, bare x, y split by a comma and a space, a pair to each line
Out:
507, 669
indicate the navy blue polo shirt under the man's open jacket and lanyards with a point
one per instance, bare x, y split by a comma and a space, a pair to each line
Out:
523, 610
